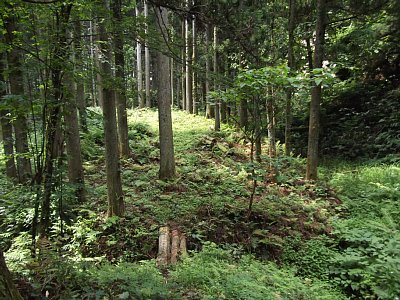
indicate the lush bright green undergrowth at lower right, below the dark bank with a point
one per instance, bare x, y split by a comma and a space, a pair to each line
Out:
369, 264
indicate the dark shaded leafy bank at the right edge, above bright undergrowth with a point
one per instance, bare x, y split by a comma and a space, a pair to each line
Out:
363, 121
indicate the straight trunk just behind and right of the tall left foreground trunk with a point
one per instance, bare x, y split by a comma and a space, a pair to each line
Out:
120, 92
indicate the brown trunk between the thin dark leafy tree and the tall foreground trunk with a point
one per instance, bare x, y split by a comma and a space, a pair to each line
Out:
72, 137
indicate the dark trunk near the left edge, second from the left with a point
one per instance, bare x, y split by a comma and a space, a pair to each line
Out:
16, 80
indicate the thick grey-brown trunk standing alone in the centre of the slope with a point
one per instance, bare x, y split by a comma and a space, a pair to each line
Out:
167, 158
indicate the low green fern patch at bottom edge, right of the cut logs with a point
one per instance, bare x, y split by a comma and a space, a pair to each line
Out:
216, 274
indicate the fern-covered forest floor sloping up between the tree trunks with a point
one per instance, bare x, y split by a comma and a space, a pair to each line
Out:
330, 239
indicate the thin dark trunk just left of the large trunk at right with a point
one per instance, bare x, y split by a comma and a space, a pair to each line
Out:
291, 65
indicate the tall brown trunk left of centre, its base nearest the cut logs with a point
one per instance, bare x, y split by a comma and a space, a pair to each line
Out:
114, 184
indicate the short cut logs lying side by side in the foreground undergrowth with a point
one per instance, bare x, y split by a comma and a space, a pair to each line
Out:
171, 245
